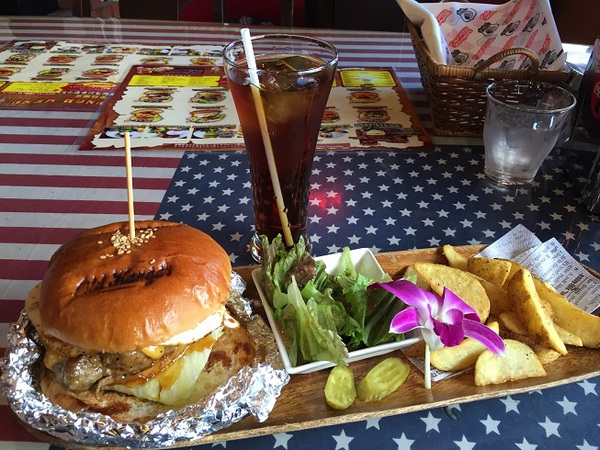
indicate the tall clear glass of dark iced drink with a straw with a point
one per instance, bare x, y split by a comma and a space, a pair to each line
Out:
295, 74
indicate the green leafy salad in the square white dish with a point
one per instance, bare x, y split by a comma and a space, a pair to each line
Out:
322, 316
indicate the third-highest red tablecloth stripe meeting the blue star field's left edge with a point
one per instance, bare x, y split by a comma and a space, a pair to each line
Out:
77, 207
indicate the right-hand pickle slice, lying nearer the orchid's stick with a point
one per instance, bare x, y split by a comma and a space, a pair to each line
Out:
383, 379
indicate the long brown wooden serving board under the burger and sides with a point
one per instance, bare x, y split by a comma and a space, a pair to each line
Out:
302, 403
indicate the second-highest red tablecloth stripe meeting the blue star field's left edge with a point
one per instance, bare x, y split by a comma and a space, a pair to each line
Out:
82, 182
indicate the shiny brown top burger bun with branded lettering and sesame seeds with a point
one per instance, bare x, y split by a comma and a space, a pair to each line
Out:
103, 293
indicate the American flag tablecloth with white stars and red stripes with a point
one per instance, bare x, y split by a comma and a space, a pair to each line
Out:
49, 191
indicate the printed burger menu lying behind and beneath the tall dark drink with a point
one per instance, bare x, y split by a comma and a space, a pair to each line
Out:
190, 107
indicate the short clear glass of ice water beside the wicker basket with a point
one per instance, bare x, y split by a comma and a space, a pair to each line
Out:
524, 120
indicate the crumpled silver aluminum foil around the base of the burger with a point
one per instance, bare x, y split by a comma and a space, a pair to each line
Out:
253, 391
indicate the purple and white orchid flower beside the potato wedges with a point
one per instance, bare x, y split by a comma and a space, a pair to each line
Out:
443, 321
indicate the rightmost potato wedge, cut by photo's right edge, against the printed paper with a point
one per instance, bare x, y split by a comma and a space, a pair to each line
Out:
569, 317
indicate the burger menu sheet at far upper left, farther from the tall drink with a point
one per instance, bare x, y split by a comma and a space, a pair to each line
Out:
80, 76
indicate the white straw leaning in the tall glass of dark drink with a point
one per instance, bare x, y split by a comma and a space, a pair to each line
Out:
264, 131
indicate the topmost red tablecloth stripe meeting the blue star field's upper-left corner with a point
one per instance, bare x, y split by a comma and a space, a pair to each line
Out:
81, 159
